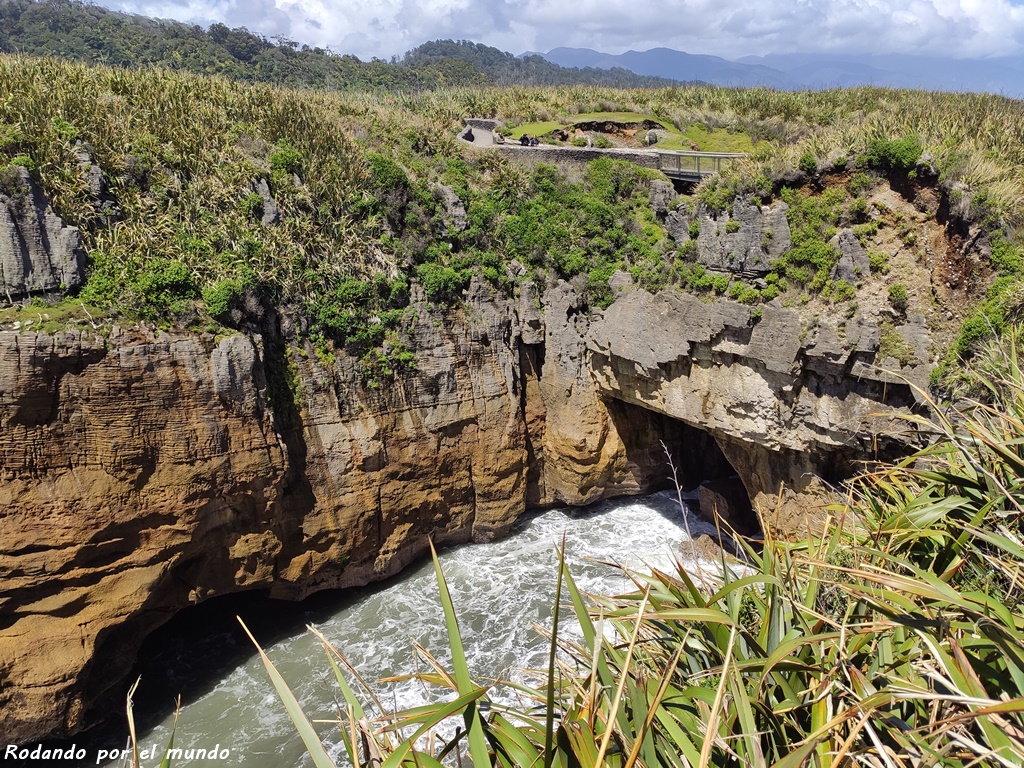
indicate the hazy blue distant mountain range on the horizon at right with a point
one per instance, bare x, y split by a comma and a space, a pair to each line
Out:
812, 71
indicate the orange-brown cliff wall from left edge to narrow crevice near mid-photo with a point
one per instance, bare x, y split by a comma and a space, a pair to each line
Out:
142, 475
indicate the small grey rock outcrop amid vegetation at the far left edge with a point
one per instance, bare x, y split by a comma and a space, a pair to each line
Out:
38, 252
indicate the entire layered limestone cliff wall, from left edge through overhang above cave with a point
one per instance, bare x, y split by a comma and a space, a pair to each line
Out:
144, 472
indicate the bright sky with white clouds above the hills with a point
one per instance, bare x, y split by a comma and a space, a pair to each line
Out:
727, 28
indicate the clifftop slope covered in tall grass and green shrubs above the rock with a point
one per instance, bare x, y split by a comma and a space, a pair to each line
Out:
374, 191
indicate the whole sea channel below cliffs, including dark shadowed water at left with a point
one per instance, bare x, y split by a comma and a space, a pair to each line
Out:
501, 591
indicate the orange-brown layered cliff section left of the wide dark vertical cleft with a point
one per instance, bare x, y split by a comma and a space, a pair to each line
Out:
131, 475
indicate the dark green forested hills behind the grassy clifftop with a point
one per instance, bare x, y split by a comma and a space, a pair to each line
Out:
83, 32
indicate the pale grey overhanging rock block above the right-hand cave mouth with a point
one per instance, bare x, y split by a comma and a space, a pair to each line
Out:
790, 407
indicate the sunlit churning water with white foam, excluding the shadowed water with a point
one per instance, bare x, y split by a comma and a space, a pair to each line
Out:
501, 591
